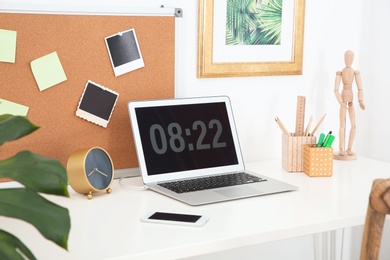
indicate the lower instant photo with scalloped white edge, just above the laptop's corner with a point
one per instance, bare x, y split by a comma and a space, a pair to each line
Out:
97, 104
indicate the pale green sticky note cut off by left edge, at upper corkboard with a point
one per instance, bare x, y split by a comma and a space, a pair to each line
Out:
7, 46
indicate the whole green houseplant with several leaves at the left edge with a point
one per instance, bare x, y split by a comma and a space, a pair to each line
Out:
37, 174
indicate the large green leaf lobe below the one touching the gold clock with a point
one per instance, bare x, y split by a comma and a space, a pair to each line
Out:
52, 221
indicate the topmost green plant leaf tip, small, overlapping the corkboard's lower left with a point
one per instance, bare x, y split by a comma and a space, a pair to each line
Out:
14, 127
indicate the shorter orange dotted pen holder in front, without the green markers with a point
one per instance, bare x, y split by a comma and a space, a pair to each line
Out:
318, 161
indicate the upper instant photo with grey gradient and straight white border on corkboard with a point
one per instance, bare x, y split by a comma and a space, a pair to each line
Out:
124, 52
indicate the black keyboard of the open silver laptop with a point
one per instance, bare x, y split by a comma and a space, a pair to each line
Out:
211, 182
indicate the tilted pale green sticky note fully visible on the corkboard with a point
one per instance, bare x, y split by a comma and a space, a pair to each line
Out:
48, 71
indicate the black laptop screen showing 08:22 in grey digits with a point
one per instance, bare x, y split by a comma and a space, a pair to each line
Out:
177, 138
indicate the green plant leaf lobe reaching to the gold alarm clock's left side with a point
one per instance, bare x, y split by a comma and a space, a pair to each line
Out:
36, 172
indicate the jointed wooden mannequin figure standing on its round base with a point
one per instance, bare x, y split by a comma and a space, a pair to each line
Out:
345, 99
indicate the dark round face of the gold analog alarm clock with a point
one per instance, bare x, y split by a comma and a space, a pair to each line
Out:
98, 169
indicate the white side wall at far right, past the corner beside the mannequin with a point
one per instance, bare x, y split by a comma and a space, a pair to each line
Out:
375, 55
